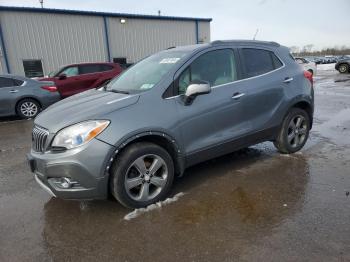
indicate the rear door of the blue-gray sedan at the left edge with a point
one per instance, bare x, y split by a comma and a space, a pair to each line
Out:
9, 91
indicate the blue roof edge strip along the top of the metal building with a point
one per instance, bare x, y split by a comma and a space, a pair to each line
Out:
93, 13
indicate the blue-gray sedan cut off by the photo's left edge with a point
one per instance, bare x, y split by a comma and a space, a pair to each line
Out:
25, 97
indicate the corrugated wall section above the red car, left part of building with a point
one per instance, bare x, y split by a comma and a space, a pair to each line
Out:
57, 39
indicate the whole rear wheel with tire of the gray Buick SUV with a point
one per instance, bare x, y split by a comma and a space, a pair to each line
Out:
293, 134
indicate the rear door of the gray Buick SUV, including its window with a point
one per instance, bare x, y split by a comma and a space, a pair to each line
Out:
263, 85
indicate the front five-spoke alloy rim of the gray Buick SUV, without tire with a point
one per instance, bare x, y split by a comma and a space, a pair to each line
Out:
146, 177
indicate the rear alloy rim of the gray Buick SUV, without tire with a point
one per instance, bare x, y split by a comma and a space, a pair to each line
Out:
297, 131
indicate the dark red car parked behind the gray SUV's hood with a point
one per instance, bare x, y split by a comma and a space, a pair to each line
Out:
76, 78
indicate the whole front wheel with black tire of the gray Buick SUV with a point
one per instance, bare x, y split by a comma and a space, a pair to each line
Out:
133, 182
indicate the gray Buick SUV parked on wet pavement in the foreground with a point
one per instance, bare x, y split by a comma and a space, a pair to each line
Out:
171, 110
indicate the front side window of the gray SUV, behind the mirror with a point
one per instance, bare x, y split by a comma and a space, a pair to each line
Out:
216, 67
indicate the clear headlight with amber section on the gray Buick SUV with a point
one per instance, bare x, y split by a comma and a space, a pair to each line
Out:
79, 134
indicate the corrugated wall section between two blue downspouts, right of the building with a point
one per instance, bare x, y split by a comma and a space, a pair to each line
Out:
138, 38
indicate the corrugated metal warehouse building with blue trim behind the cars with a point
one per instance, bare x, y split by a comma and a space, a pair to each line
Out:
36, 41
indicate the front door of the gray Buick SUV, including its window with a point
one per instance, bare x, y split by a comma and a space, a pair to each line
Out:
213, 119
